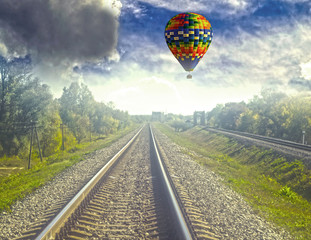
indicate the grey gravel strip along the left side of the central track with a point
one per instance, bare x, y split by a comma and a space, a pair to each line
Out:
56, 192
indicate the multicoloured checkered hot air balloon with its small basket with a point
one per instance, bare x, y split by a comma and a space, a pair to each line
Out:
188, 36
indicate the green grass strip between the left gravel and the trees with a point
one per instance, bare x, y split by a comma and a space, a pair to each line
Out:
18, 185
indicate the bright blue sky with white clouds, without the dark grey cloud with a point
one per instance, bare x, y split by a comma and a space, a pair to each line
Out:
256, 45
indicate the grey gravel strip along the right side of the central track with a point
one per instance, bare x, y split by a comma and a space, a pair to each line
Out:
228, 214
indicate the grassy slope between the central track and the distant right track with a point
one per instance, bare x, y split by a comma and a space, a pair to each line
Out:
276, 186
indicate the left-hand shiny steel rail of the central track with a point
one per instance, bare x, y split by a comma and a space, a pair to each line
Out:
54, 226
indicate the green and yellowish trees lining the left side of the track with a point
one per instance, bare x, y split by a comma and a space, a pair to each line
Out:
26, 102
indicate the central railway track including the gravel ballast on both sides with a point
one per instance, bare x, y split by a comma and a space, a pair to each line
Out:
132, 202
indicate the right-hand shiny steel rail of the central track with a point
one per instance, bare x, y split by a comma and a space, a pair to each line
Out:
182, 227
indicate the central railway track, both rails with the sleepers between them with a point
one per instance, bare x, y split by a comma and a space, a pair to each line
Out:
93, 213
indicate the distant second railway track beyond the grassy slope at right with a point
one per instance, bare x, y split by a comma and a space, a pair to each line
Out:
262, 138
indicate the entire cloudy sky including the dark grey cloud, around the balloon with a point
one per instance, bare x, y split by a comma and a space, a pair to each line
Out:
117, 48
